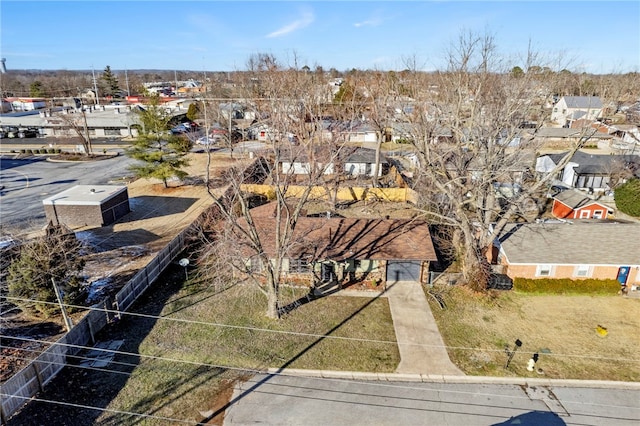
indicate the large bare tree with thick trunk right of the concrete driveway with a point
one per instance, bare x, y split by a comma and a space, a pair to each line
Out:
474, 159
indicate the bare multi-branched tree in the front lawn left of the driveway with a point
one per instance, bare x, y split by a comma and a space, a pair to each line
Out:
289, 109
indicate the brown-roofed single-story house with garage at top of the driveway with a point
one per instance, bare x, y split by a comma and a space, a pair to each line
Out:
346, 250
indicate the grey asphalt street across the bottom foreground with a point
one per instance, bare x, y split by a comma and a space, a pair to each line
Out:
280, 400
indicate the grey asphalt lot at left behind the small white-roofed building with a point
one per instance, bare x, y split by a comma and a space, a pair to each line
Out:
26, 182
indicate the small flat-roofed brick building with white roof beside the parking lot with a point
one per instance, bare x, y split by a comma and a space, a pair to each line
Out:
87, 205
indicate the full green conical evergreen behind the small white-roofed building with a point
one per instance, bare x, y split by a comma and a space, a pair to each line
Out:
161, 154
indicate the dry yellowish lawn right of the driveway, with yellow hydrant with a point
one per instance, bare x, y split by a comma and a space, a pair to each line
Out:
477, 328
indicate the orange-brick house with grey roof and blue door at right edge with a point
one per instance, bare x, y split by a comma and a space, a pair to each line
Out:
566, 249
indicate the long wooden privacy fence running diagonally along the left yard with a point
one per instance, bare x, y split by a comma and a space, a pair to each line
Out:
26, 383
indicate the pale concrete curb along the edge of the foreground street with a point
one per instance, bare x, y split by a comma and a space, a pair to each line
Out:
436, 378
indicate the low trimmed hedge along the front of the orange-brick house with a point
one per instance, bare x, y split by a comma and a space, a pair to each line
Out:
566, 286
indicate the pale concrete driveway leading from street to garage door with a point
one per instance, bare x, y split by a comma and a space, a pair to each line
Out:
421, 346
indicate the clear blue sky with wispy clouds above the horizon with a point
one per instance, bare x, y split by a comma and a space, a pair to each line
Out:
589, 36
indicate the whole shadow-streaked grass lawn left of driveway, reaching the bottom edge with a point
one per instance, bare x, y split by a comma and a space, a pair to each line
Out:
221, 338
